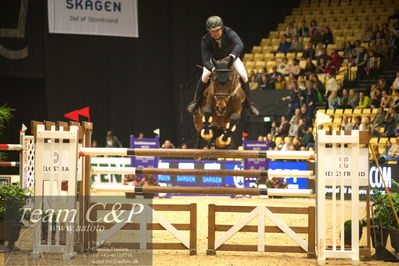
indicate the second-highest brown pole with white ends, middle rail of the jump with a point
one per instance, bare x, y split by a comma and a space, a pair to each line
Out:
201, 172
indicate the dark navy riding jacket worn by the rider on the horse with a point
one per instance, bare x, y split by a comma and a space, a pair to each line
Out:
231, 44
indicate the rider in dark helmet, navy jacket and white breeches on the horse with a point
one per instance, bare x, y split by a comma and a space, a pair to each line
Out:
218, 43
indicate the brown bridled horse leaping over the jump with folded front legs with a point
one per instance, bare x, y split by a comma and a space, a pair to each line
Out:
218, 115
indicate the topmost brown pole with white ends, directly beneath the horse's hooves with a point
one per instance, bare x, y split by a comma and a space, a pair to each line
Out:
195, 153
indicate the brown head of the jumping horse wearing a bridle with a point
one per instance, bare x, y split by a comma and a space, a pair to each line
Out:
222, 81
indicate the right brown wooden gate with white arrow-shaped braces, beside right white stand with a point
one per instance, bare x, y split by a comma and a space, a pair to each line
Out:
261, 212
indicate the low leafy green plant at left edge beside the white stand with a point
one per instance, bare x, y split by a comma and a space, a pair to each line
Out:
12, 199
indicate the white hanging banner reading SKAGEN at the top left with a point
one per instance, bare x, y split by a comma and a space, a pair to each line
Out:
94, 17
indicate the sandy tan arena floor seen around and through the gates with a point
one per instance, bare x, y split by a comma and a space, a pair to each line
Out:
169, 257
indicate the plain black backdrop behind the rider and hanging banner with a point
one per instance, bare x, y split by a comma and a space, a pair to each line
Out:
132, 85
